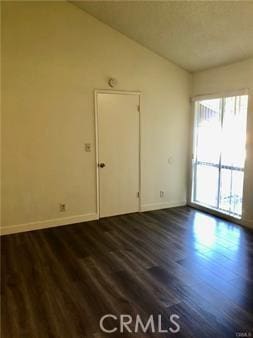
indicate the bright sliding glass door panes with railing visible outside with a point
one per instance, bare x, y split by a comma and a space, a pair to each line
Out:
219, 153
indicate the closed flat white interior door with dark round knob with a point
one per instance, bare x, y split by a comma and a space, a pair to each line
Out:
118, 153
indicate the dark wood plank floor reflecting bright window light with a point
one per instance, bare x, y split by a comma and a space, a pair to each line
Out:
59, 282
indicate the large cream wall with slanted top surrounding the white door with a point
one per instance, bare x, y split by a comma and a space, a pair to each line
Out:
54, 56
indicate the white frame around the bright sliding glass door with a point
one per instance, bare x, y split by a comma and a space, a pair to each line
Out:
192, 151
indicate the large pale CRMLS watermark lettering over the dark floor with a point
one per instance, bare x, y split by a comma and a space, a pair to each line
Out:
128, 323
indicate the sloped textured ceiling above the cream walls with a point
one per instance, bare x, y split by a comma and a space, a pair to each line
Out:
193, 34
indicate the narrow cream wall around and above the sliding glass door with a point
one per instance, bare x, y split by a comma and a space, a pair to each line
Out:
228, 79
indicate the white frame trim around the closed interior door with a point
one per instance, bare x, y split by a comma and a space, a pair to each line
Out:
108, 91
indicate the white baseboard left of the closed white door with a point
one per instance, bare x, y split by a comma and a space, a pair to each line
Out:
11, 229
